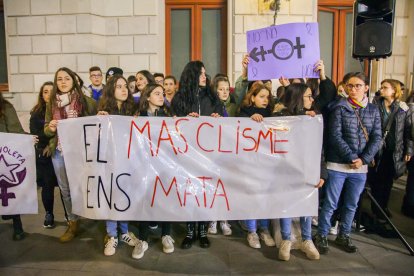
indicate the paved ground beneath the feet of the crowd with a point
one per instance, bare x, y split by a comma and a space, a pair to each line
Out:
42, 254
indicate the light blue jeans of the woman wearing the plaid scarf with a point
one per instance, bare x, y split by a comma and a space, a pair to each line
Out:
63, 182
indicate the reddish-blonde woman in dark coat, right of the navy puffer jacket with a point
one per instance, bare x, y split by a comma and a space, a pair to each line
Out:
397, 147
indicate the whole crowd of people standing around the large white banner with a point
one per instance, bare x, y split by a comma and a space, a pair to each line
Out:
362, 142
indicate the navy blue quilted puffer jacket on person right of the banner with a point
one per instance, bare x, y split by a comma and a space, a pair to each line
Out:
346, 140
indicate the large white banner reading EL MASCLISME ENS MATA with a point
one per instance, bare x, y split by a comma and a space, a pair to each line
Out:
189, 169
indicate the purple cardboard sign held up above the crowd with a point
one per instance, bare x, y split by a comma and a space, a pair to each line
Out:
288, 50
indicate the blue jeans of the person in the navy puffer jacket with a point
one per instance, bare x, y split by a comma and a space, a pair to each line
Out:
354, 184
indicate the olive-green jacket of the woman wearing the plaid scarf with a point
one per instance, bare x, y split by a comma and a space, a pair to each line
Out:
89, 109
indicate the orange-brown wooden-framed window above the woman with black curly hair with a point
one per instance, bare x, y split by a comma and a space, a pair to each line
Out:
196, 30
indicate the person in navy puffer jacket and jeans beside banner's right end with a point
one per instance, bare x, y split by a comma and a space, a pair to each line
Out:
354, 137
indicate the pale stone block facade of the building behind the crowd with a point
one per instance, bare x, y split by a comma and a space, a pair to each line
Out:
43, 35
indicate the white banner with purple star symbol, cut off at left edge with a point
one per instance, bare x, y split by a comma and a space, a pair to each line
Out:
18, 189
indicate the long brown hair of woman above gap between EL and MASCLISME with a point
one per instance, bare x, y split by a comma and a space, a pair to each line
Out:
108, 102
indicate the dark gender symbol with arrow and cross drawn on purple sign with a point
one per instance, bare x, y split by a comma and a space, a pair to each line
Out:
281, 49
